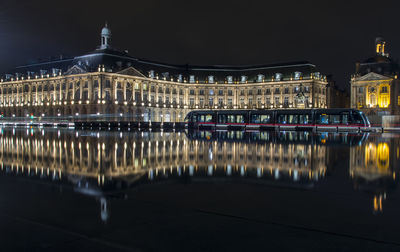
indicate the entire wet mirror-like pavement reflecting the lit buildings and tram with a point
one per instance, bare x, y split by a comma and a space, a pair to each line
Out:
64, 190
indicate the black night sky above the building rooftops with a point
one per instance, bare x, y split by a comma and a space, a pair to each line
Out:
331, 34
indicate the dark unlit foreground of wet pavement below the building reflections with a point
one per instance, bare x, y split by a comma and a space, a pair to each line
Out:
199, 216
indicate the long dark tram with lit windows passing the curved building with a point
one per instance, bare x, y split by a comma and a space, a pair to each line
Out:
293, 119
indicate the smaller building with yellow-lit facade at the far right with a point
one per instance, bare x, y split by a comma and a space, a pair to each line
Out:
375, 85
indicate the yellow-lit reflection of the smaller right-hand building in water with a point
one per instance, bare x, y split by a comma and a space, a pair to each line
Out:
373, 167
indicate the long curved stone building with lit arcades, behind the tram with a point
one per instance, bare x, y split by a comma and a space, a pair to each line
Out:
111, 84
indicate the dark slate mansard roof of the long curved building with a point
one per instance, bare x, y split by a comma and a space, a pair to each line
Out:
116, 61
